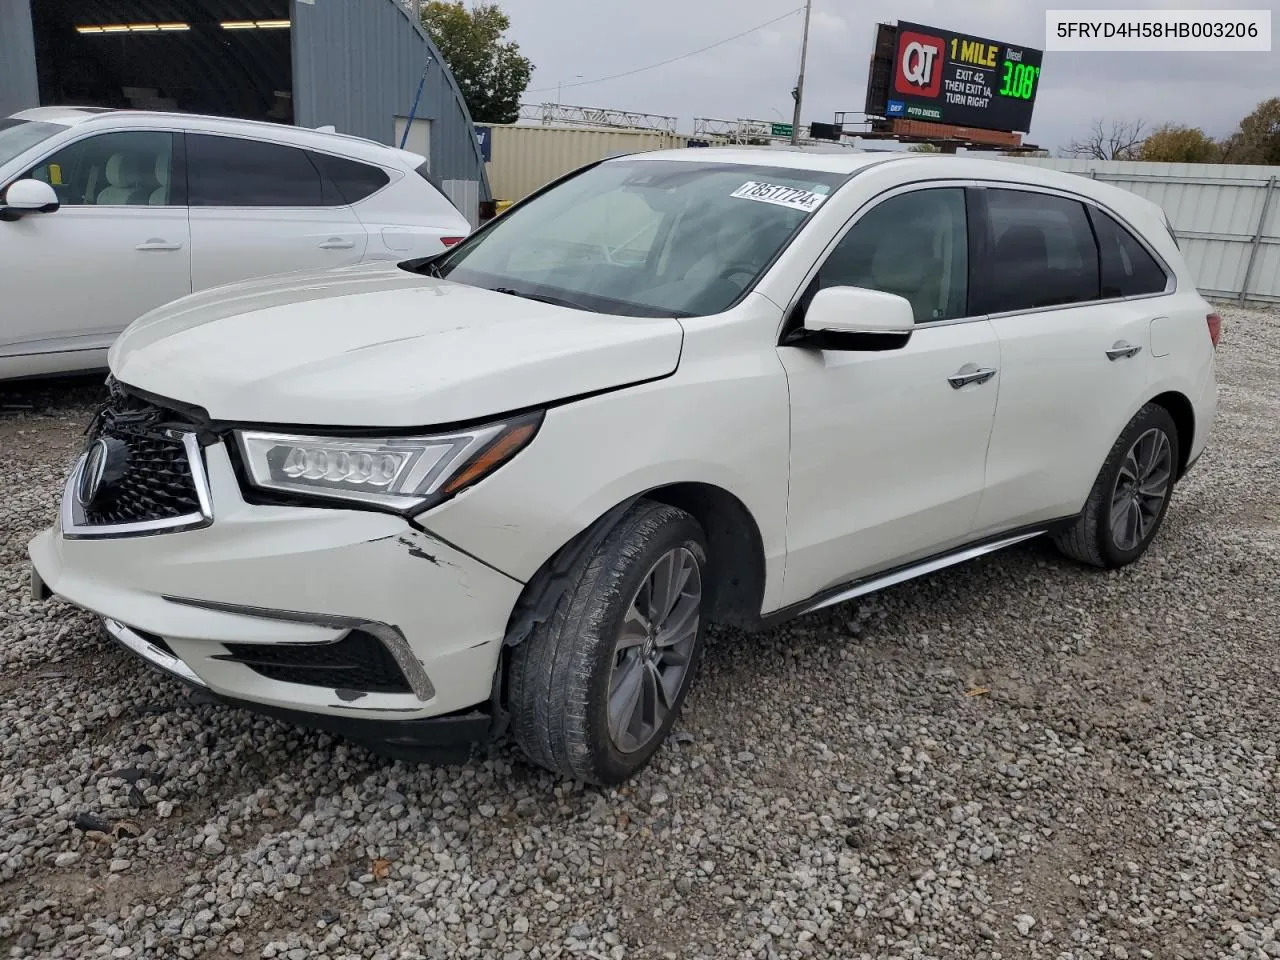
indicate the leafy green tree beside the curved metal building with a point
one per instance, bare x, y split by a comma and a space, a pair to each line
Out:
491, 72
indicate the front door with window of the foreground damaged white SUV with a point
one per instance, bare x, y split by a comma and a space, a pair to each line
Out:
888, 451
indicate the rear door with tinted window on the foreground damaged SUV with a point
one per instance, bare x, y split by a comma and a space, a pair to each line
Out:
1076, 353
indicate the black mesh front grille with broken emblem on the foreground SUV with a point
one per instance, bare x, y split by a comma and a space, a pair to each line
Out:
150, 478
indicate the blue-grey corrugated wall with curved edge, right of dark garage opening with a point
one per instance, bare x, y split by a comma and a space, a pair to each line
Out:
358, 65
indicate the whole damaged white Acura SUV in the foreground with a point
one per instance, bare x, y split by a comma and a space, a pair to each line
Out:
508, 488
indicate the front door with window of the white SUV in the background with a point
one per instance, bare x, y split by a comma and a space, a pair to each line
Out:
117, 248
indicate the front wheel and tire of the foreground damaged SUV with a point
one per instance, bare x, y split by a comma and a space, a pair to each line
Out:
596, 689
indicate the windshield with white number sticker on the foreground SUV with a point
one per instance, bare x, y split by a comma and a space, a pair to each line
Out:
644, 237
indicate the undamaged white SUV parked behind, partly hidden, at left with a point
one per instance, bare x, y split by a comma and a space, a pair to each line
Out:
107, 214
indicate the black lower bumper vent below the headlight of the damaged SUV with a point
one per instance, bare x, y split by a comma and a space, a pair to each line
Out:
358, 662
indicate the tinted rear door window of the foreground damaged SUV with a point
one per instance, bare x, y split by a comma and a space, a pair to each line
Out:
1043, 253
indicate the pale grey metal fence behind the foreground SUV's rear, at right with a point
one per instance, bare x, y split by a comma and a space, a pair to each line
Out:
1217, 212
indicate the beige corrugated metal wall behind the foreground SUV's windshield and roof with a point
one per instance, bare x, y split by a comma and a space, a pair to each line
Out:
524, 158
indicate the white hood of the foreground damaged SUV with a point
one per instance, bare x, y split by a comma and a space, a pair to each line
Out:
378, 346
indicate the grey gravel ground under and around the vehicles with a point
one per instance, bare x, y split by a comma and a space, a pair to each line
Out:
1016, 758
